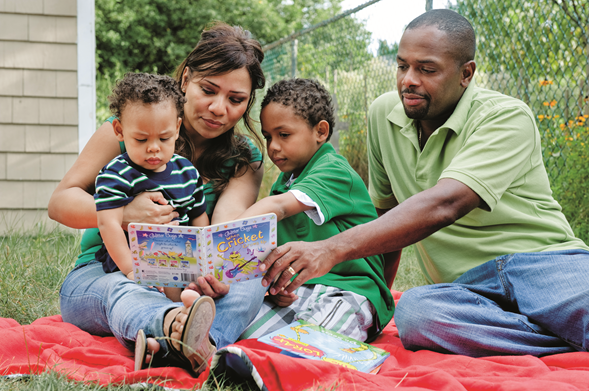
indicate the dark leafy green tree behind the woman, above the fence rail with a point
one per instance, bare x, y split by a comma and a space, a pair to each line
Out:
155, 36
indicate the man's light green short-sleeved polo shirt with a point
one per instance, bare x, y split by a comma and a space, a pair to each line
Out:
492, 145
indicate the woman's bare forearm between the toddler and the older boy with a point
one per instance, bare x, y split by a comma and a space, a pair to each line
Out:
241, 193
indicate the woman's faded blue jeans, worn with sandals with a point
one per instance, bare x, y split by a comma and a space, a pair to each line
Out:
110, 304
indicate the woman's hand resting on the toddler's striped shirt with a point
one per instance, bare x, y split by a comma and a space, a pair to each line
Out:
149, 208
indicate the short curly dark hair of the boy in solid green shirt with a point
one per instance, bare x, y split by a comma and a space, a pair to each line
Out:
308, 99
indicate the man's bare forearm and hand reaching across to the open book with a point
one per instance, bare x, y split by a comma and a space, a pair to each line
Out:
411, 221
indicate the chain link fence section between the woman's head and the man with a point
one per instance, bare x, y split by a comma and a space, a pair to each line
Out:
338, 53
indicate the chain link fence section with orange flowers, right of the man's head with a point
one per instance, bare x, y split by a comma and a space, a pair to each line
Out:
537, 51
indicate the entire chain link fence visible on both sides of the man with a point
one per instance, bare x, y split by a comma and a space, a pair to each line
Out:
536, 51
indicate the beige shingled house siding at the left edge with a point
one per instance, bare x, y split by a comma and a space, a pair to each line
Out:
38, 106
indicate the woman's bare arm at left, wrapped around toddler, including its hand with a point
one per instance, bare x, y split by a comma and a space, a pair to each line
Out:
72, 202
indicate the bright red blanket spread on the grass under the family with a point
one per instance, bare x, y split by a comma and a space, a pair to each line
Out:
50, 344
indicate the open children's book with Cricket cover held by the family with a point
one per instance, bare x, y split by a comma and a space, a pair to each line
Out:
173, 256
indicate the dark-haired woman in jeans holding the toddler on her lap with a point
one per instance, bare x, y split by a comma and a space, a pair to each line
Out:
219, 79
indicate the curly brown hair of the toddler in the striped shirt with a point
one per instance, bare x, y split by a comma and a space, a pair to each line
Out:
145, 88
